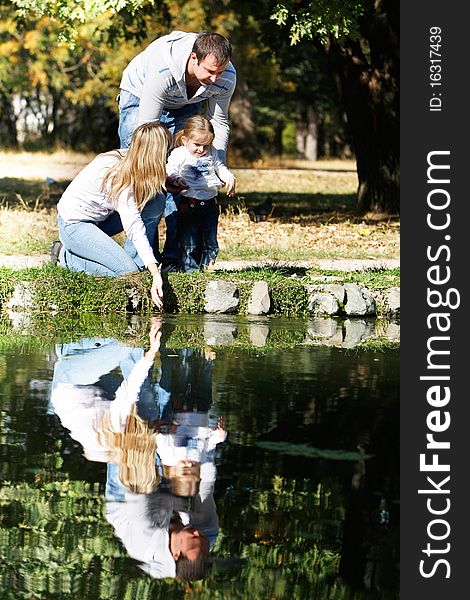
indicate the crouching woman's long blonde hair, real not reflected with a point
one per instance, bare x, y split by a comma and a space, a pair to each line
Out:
142, 168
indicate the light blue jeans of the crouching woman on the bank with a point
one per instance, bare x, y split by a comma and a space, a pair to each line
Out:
89, 248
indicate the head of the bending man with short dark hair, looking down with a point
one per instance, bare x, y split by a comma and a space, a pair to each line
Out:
209, 57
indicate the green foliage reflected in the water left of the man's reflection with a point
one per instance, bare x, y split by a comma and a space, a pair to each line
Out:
55, 543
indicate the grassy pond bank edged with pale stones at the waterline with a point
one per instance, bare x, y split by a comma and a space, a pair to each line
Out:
218, 293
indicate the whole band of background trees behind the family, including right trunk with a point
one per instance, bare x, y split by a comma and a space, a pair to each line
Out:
300, 63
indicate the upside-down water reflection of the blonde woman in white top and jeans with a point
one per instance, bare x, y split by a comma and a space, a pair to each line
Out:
110, 430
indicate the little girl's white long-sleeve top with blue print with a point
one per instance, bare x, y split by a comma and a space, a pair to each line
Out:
204, 174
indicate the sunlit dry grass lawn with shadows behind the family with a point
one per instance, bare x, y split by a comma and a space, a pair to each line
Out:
314, 210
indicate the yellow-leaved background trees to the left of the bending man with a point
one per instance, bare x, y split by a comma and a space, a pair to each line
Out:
50, 87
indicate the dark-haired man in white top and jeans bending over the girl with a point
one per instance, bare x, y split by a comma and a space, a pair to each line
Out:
168, 82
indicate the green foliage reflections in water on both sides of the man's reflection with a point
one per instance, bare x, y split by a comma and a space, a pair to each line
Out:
54, 542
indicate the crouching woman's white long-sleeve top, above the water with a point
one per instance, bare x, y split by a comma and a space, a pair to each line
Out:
84, 200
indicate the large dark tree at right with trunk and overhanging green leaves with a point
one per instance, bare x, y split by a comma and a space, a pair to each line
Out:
361, 41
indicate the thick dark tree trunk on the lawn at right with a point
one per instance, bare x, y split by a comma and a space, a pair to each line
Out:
368, 86
